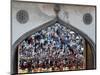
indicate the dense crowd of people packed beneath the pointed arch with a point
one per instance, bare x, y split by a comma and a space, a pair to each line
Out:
55, 48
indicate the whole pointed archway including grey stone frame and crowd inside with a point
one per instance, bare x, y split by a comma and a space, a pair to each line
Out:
54, 46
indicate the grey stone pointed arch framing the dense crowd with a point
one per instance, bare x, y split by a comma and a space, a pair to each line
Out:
89, 65
